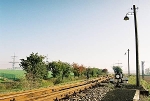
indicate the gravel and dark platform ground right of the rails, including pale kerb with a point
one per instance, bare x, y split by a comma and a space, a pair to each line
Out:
108, 92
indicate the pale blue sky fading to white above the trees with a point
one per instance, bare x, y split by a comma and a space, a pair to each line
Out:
88, 32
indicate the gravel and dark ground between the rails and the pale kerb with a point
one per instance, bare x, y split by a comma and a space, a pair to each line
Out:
103, 92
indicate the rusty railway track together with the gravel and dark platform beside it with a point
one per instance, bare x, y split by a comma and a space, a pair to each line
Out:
98, 89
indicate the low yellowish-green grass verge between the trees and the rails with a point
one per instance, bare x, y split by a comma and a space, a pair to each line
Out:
23, 84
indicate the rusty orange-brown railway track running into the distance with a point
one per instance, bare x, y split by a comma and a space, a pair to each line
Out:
53, 93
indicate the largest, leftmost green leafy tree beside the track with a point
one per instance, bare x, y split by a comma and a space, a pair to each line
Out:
35, 67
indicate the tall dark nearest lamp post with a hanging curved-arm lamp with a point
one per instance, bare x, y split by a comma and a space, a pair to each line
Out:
136, 44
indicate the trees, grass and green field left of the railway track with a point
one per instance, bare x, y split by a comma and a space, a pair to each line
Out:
36, 74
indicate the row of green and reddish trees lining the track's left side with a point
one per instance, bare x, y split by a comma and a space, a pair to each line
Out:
36, 68
